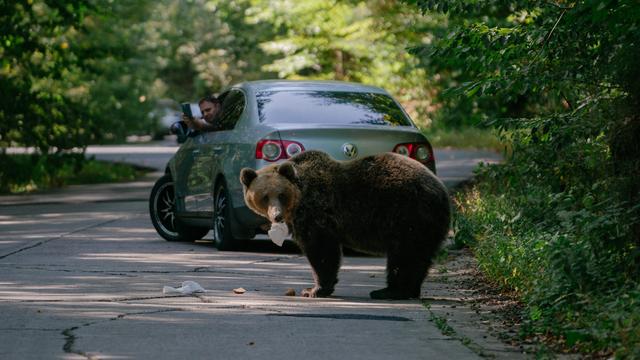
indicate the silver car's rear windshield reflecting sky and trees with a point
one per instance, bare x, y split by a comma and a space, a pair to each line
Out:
329, 107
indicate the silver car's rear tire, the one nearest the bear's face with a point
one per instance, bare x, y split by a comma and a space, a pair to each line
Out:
222, 235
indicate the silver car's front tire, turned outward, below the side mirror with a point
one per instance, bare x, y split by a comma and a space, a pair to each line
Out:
162, 206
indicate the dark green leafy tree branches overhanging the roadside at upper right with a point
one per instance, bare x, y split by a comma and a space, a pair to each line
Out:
557, 76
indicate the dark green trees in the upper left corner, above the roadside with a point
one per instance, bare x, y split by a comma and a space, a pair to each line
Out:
73, 74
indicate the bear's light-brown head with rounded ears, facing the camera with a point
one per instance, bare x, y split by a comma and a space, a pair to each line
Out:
271, 192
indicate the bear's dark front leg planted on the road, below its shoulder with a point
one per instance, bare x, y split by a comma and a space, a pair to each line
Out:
324, 256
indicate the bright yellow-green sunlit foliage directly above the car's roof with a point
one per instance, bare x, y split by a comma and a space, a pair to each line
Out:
351, 41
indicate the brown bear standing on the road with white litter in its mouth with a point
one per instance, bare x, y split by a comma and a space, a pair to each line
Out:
381, 204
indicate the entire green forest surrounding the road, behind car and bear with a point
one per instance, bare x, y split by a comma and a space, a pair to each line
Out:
557, 223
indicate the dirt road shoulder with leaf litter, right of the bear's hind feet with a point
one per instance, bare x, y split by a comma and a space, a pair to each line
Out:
463, 306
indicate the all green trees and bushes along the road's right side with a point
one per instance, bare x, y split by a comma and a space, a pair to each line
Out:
559, 221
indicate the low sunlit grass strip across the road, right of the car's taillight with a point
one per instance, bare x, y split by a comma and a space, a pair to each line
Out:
464, 138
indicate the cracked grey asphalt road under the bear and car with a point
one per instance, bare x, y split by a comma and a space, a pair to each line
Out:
82, 273
